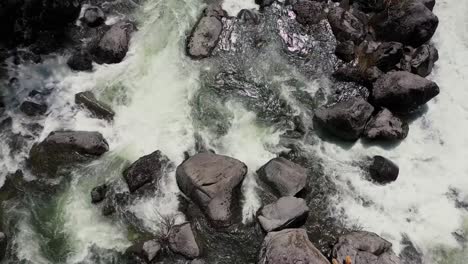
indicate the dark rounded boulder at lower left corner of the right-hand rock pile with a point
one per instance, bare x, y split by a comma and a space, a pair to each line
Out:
346, 120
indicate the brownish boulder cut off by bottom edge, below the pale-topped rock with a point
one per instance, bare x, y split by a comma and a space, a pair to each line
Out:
290, 246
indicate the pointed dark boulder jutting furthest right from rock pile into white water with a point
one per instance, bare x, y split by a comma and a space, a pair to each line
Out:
403, 91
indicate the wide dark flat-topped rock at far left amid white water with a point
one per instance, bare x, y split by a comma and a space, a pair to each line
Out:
64, 148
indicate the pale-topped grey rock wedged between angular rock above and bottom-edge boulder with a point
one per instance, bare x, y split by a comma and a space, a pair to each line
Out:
286, 212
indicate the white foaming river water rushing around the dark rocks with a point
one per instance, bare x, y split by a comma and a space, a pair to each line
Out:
155, 93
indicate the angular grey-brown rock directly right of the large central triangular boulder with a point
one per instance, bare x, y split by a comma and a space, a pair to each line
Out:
284, 177
